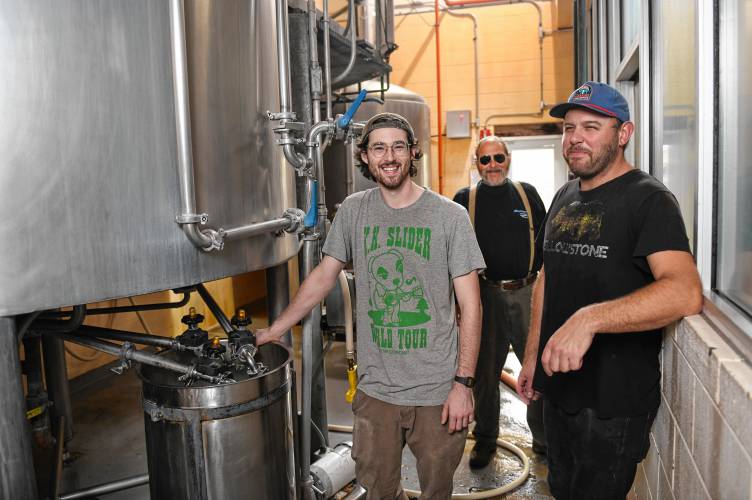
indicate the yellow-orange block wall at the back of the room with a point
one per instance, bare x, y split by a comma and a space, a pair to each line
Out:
509, 70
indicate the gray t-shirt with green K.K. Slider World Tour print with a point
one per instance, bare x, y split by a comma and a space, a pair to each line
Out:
404, 261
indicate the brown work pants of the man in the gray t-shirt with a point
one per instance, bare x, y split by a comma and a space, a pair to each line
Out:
379, 435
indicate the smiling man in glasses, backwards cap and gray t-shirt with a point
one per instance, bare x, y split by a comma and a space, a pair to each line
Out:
414, 254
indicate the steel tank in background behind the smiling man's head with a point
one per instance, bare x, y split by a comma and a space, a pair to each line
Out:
338, 158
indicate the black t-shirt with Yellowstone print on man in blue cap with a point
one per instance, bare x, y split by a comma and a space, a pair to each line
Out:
595, 249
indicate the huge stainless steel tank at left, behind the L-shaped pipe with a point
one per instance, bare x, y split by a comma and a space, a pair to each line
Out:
88, 165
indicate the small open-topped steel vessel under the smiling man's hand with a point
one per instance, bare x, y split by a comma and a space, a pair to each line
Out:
226, 442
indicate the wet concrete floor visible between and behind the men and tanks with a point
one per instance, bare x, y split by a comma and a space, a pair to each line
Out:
109, 438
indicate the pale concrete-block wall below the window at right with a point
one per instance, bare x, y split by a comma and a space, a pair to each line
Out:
701, 443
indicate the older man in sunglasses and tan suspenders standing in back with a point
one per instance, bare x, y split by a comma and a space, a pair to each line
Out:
507, 216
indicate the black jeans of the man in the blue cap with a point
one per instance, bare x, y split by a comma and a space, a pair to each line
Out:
590, 457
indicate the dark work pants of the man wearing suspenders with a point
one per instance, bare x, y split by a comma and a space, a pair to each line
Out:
506, 317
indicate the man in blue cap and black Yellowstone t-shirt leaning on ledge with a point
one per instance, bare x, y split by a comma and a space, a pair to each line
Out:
617, 268
